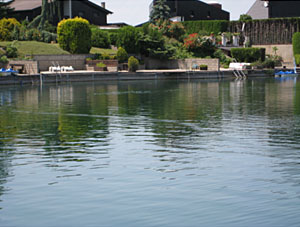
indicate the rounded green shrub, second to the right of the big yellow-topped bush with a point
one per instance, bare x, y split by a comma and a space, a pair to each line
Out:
129, 39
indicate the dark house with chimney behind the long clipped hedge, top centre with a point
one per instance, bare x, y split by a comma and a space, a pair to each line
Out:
182, 10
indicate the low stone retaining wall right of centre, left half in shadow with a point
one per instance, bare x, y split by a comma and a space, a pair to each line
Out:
186, 64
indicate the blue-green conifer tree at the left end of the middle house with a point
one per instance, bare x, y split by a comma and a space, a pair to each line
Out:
160, 11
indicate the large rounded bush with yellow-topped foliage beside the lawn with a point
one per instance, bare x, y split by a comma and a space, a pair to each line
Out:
74, 35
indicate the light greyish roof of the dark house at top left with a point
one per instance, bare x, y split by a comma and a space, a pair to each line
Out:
24, 5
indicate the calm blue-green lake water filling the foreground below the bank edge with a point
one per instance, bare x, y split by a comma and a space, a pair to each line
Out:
151, 153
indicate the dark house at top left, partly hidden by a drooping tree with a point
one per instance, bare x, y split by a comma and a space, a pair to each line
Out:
95, 14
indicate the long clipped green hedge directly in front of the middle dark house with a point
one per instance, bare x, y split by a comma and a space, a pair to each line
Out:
214, 26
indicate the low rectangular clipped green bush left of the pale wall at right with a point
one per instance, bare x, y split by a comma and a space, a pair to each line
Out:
248, 54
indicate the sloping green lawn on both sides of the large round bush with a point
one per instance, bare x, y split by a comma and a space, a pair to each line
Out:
28, 48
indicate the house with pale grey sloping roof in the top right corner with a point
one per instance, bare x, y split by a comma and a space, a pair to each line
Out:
265, 9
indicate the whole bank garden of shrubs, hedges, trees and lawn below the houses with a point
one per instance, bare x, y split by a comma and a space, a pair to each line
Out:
159, 39
